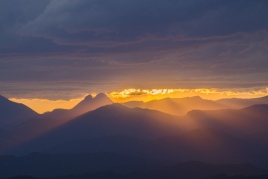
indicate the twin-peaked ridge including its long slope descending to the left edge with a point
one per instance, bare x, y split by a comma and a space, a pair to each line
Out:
40, 124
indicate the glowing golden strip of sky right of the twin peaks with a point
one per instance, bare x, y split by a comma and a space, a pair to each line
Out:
206, 93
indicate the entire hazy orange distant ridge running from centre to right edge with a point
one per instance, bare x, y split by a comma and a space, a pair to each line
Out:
180, 106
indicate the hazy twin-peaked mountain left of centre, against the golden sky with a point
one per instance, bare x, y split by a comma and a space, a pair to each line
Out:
88, 104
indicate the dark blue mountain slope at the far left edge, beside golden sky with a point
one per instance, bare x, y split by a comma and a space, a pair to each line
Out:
12, 114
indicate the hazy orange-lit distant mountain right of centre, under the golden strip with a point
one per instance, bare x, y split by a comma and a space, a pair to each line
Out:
177, 106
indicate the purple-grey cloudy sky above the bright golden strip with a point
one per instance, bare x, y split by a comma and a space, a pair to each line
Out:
62, 50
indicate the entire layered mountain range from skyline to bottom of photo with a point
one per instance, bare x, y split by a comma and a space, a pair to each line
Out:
131, 140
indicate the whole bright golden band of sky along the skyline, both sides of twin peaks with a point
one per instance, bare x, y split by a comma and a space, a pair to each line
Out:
44, 105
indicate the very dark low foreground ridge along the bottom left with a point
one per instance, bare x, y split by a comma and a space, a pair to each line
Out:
41, 165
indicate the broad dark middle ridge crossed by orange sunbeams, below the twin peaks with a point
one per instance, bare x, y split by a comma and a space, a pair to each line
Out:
211, 136
